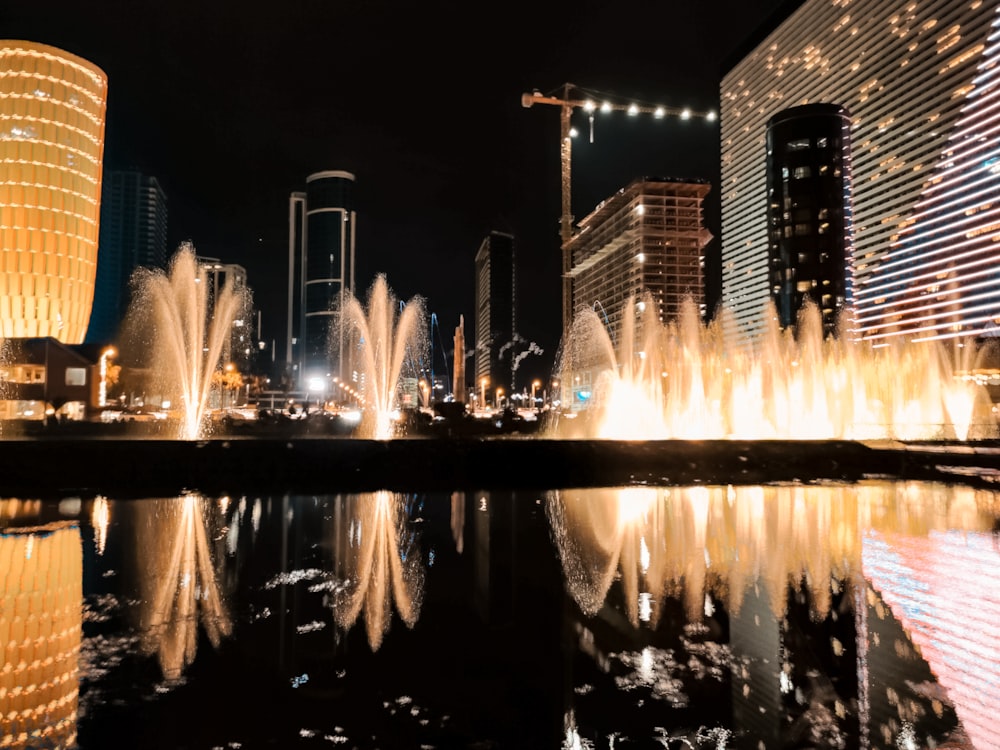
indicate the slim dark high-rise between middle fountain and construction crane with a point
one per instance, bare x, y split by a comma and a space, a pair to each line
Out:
495, 317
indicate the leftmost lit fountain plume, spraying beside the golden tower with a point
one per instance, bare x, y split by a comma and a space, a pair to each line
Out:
186, 331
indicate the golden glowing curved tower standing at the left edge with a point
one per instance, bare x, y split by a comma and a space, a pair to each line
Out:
52, 116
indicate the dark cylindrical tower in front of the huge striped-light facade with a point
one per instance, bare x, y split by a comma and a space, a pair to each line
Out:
809, 211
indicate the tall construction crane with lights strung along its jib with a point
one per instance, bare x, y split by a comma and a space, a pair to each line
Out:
567, 103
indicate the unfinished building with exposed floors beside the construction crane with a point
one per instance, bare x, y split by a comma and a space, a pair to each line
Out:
648, 238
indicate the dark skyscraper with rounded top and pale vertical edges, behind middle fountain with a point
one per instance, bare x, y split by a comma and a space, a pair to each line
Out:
320, 271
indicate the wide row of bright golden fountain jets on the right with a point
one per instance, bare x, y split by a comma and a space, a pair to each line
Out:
680, 380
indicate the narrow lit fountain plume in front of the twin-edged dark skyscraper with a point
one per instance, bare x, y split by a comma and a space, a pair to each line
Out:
382, 342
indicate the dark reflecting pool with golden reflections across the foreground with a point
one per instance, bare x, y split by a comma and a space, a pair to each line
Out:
777, 616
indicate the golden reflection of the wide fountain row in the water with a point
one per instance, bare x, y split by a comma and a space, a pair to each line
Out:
697, 540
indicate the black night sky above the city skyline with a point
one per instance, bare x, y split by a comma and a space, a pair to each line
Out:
232, 105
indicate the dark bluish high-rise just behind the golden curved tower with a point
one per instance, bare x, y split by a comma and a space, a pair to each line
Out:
133, 235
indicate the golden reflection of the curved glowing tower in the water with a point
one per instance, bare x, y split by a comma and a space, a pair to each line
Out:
41, 585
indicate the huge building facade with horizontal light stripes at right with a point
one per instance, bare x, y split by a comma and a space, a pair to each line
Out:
921, 83
